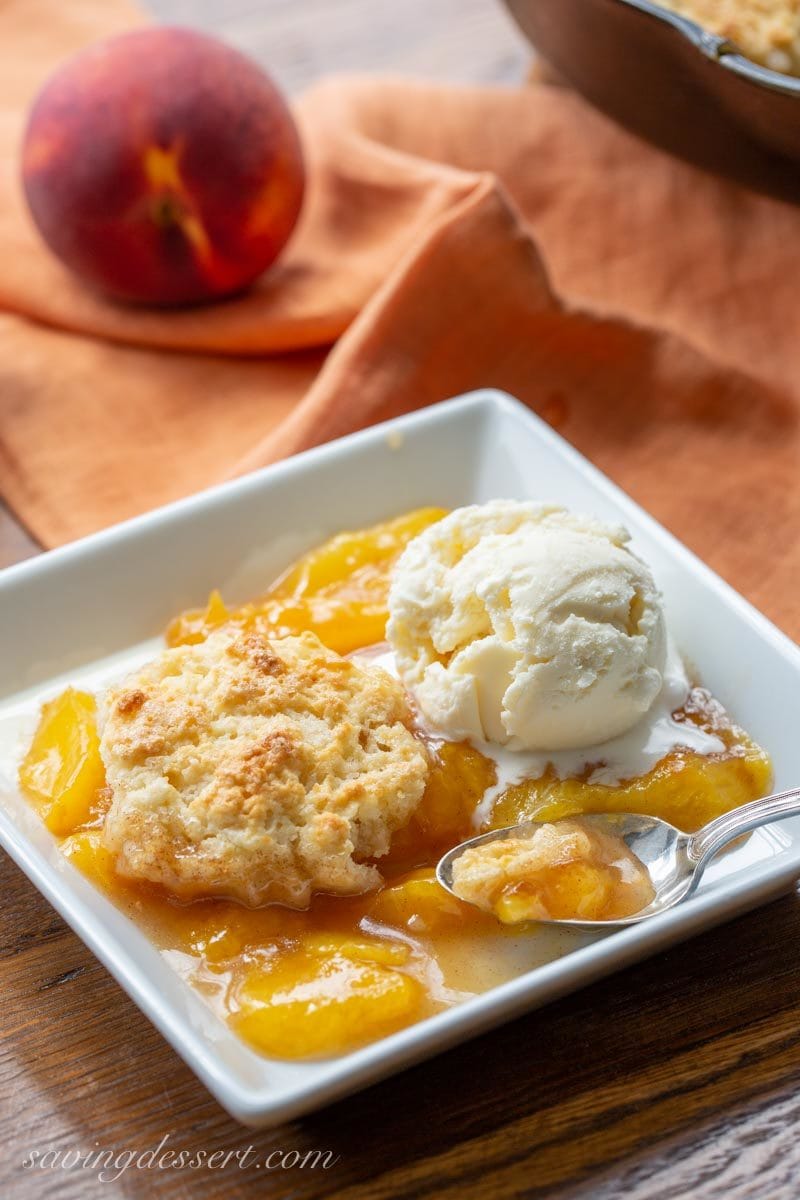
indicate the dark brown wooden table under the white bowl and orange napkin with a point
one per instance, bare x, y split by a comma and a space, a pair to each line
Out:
677, 1078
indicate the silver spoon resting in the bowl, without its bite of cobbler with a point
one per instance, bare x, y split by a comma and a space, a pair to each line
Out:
676, 861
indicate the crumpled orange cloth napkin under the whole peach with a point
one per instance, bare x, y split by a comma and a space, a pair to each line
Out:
452, 238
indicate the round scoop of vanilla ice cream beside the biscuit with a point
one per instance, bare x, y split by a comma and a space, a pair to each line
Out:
527, 626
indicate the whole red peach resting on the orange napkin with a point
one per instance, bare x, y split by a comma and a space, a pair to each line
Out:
164, 167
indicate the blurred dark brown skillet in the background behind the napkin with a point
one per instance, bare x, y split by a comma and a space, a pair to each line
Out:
676, 85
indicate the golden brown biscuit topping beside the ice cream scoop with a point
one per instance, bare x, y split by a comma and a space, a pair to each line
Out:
258, 770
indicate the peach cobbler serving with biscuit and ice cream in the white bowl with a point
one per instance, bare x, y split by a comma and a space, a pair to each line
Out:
269, 794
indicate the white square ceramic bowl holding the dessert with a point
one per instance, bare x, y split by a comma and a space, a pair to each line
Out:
99, 597
